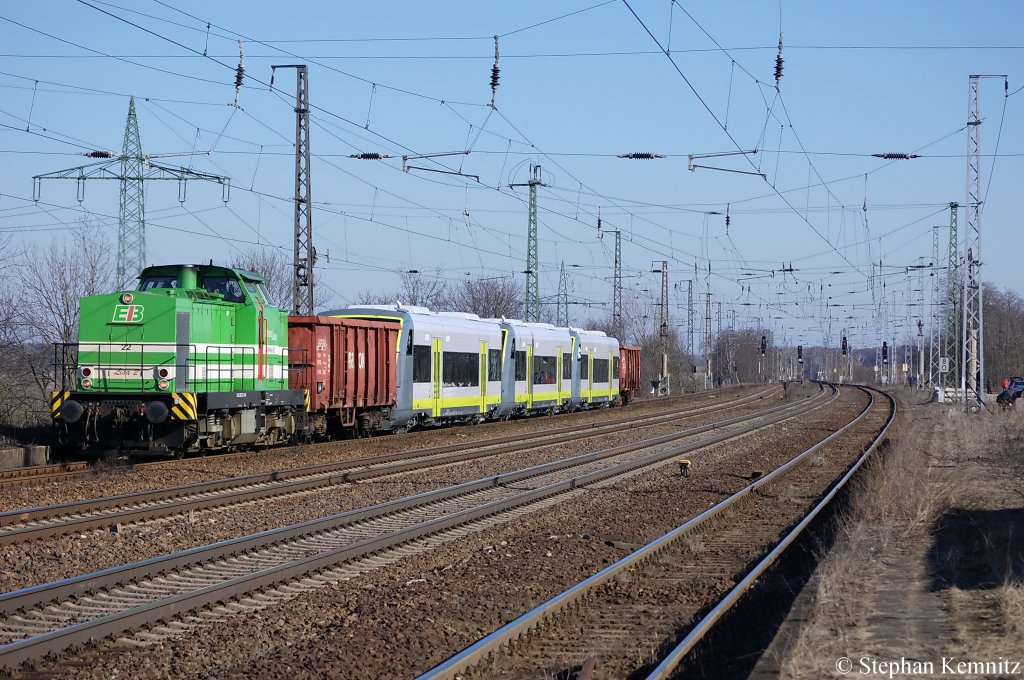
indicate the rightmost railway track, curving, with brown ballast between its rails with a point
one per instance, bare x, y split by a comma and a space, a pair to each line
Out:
624, 621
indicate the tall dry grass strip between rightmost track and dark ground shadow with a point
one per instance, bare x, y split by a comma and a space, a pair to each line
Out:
894, 504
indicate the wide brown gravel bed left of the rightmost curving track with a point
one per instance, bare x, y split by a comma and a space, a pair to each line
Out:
400, 621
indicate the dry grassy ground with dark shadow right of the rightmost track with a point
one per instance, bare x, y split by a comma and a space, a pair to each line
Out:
928, 574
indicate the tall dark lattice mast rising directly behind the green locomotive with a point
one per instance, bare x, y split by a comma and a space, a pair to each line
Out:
305, 254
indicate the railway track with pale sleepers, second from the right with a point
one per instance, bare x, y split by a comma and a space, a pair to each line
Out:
51, 618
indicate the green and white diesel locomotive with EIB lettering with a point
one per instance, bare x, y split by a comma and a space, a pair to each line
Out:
195, 359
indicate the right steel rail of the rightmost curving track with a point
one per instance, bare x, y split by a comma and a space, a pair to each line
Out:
671, 662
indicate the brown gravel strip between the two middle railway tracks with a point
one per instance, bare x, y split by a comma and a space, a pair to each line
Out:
51, 560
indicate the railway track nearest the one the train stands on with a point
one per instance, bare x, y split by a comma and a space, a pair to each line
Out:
45, 522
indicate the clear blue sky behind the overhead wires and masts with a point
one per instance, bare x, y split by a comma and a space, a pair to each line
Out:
576, 92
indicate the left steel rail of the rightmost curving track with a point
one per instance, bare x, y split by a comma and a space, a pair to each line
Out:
479, 652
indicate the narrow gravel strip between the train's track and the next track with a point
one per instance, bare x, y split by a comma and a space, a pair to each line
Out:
119, 479
